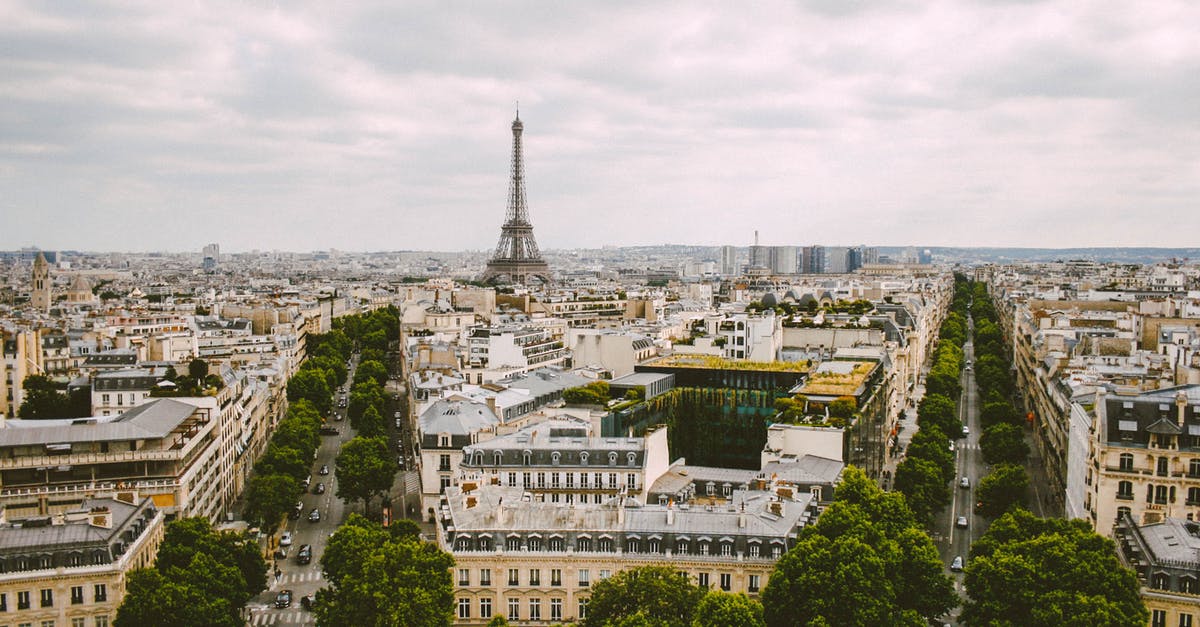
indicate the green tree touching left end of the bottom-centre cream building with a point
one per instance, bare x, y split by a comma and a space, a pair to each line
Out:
382, 581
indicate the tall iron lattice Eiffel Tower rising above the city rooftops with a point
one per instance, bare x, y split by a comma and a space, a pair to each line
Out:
517, 259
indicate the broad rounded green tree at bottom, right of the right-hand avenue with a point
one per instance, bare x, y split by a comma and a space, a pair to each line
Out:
1048, 572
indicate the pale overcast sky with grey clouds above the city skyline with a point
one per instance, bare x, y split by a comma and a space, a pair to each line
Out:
313, 126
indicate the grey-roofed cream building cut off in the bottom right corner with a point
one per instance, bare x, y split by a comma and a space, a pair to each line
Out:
1167, 558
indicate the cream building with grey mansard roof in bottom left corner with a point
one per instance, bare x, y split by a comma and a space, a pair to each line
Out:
71, 570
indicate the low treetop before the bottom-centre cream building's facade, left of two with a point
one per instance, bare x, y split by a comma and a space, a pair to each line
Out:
657, 590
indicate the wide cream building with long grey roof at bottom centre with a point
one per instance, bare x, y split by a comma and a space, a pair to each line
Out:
536, 562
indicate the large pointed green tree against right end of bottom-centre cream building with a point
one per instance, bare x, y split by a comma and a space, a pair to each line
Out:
866, 562
